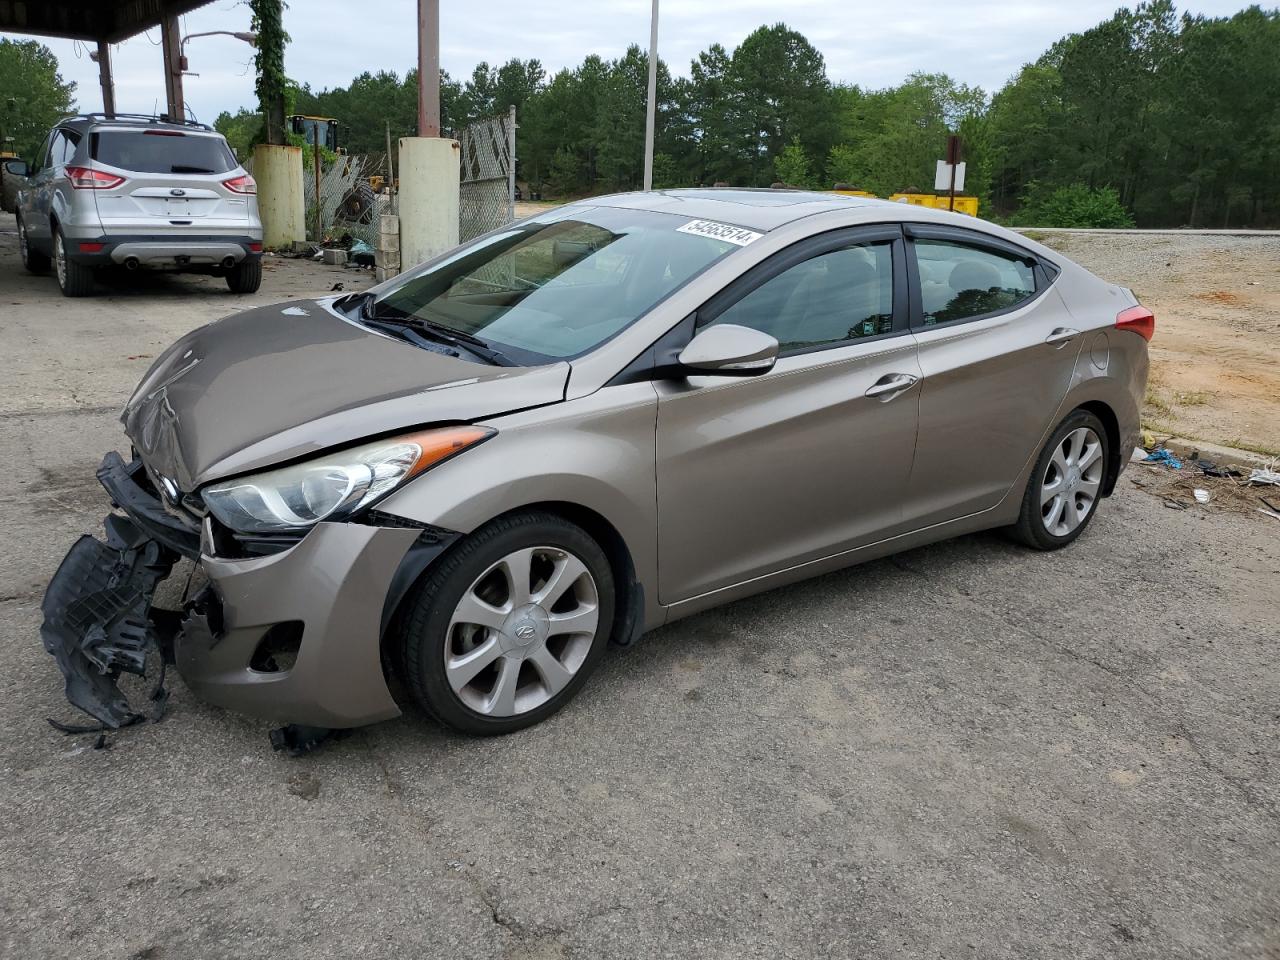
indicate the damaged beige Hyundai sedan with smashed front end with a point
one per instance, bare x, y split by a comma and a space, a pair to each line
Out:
575, 429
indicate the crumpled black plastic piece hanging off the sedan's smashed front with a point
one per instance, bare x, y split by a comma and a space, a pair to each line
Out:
98, 616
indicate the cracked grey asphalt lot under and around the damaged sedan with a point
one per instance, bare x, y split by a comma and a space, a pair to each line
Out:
970, 751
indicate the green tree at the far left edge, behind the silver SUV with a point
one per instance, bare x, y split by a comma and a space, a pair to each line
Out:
30, 70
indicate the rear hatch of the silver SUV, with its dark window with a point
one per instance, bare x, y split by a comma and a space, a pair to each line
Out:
173, 181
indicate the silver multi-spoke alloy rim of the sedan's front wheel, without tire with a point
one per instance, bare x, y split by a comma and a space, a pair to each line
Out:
522, 632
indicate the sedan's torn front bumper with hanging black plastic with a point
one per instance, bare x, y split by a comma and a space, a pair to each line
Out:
294, 636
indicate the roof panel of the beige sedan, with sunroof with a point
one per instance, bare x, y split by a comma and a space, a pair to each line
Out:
764, 209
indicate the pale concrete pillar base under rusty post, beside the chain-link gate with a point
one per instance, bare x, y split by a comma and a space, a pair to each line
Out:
428, 198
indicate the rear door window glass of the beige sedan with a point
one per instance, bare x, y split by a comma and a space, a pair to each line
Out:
961, 282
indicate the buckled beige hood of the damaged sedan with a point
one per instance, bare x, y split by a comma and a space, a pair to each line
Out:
292, 380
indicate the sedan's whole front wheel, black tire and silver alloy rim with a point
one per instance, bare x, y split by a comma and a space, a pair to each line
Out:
520, 641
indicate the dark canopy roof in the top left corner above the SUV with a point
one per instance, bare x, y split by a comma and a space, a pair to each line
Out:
111, 21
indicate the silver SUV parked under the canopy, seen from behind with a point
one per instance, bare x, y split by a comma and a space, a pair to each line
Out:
139, 193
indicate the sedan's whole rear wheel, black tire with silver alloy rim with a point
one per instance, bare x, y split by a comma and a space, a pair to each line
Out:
1045, 525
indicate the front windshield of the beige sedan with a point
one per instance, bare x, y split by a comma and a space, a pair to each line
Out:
561, 285
